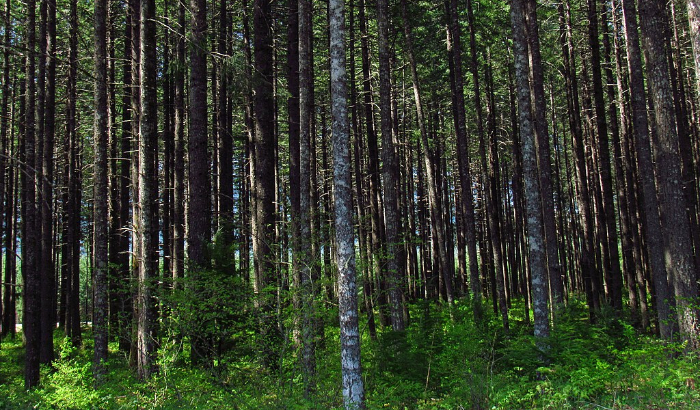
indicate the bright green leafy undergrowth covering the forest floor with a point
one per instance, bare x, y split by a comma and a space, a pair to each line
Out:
443, 361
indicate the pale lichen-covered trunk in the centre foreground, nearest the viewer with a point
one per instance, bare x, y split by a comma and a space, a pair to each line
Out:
353, 388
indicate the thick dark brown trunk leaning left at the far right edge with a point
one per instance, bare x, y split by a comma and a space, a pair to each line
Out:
674, 218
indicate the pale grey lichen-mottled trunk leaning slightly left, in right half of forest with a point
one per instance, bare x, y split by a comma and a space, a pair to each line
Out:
533, 203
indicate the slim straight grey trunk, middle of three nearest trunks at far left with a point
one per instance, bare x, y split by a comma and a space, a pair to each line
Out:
100, 223
